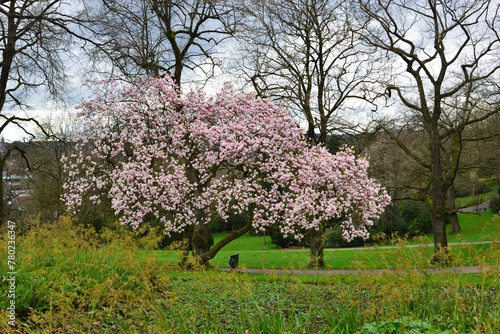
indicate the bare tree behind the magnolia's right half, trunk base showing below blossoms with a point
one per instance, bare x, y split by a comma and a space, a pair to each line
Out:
305, 55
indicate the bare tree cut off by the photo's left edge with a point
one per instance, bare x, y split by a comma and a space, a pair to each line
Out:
35, 36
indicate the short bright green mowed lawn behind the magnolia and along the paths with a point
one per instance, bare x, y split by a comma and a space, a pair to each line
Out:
484, 227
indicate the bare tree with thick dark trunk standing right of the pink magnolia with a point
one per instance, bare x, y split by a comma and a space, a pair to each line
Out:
445, 73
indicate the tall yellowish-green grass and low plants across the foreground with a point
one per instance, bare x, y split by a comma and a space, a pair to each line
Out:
73, 282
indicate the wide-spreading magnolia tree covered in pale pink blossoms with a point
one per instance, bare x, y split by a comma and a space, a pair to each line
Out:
179, 157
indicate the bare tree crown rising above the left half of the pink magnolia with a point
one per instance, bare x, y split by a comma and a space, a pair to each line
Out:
154, 37
